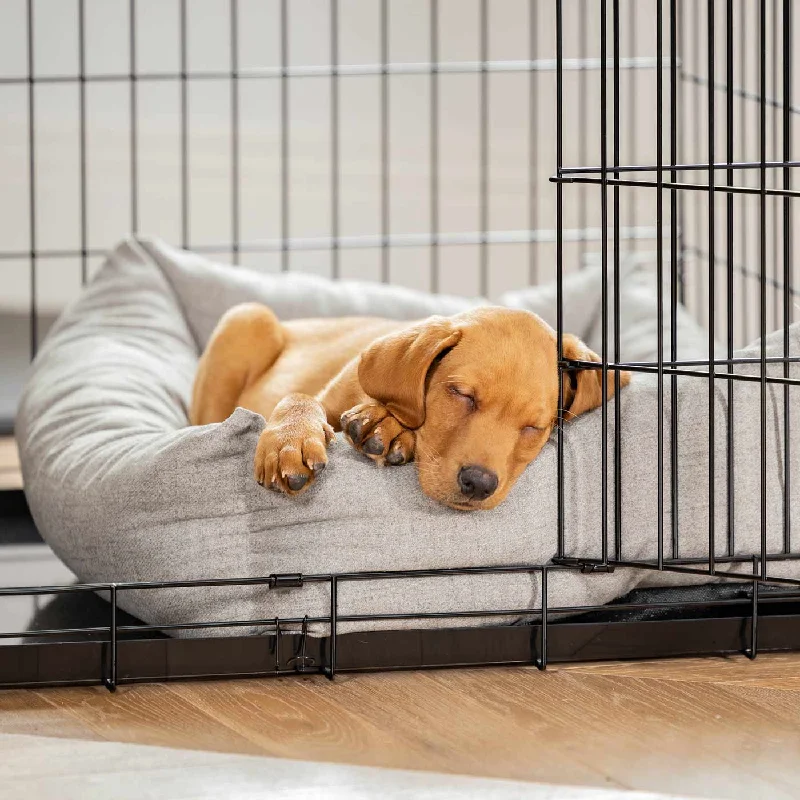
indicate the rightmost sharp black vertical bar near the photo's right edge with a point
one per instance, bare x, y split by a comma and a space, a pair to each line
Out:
788, 20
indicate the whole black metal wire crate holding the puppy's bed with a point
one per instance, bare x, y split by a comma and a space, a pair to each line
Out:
669, 123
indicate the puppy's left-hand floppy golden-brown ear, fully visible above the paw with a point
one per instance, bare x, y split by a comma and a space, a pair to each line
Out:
393, 369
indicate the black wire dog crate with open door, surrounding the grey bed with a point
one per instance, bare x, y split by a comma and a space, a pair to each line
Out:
689, 167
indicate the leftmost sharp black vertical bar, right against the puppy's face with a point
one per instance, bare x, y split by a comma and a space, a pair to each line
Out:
560, 271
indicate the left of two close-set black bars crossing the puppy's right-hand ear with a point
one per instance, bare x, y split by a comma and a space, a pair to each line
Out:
604, 267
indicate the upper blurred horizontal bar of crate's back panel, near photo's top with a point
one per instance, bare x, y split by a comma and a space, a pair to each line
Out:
343, 70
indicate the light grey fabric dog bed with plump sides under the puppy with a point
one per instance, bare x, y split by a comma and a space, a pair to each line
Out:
123, 490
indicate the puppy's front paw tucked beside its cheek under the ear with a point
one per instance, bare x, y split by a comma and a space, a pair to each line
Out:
373, 431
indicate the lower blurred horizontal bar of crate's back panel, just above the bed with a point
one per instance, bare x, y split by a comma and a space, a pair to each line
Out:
322, 243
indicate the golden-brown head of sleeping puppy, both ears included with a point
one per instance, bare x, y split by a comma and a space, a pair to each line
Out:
481, 391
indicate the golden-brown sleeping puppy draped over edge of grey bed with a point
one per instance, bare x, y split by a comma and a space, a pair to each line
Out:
471, 398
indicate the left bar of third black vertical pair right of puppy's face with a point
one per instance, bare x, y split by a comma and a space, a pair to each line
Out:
712, 268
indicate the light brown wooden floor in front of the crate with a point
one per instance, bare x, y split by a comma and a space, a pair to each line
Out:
713, 728
